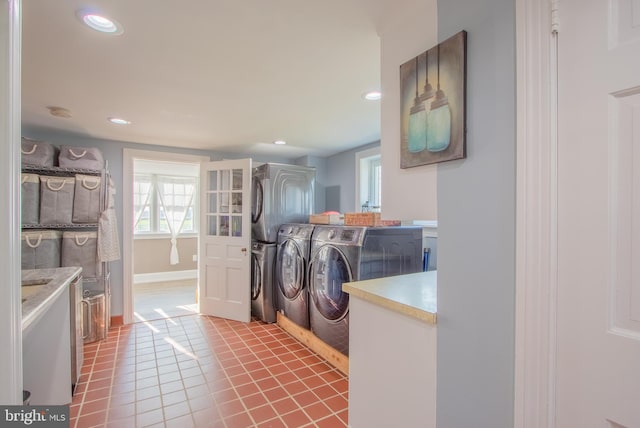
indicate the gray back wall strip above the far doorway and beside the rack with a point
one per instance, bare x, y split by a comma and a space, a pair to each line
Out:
112, 151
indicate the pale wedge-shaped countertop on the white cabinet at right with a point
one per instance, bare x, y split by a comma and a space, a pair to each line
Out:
413, 294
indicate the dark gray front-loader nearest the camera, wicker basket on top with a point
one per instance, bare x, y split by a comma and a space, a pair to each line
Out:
342, 254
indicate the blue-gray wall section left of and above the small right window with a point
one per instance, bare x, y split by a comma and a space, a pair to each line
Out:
340, 184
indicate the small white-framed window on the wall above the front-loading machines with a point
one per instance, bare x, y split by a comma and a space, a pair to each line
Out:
369, 180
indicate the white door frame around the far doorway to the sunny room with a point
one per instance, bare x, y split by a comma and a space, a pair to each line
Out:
128, 156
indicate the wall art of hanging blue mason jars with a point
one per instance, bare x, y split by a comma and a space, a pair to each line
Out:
432, 104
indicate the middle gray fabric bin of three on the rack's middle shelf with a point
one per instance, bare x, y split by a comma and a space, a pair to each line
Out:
56, 199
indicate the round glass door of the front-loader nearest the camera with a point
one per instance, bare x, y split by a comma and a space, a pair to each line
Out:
328, 270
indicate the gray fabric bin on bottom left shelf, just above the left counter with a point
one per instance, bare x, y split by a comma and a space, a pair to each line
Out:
41, 249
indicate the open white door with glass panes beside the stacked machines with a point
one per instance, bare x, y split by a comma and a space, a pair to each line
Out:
225, 240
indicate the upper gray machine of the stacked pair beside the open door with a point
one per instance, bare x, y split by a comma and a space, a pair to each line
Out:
280, 194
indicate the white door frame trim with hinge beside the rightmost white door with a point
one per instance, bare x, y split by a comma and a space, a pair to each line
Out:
536, 214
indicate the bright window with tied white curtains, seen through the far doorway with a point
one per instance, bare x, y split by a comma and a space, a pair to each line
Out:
164, 204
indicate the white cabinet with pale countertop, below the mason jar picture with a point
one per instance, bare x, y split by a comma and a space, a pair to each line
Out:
392, 351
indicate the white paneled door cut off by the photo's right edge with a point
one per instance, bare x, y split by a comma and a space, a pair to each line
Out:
598, 313
